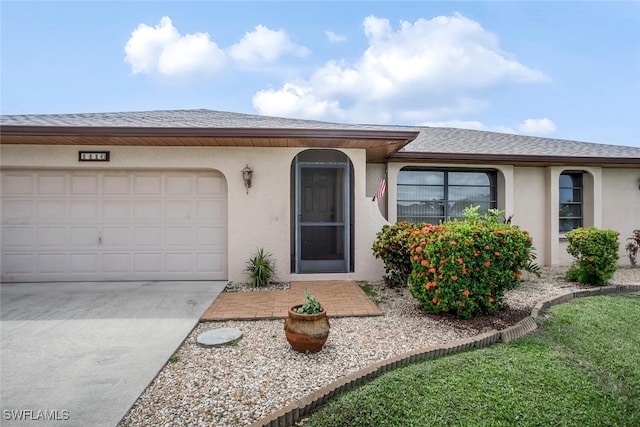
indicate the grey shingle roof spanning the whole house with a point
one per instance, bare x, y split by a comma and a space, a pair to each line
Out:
430, 139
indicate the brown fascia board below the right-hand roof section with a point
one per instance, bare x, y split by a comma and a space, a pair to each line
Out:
517, 160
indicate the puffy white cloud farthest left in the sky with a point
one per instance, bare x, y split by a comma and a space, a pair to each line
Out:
163, 51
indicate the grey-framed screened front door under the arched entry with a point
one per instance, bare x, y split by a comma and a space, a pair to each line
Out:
322, 217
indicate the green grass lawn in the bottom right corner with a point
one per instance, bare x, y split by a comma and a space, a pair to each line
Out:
582, 368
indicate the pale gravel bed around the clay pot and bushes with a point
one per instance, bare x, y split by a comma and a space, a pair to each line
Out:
238, 384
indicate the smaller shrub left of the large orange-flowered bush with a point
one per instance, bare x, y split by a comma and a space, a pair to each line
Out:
392, 246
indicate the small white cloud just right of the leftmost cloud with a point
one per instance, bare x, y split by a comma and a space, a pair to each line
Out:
264, 46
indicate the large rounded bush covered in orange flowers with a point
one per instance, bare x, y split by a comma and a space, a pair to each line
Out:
466, 267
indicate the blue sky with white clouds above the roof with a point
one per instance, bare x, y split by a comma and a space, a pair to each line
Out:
567, 70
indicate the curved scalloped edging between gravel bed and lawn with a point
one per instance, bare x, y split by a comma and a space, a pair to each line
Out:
297, 410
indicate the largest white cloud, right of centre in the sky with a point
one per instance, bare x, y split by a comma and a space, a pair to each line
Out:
428, 66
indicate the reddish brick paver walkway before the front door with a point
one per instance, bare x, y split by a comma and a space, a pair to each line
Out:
340, 298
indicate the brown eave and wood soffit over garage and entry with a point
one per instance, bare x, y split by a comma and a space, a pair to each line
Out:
378, 143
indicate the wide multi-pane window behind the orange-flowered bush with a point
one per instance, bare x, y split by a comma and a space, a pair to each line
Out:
437, 195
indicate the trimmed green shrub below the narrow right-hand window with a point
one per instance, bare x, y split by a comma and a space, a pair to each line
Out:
596, 255
